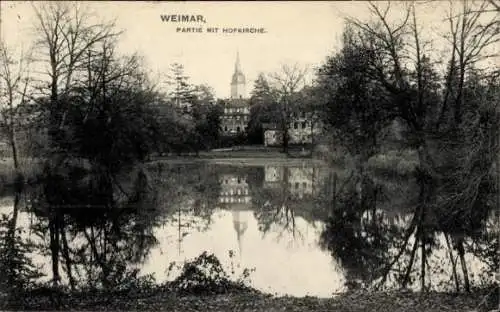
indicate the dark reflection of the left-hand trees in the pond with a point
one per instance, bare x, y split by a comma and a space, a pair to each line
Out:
96, 225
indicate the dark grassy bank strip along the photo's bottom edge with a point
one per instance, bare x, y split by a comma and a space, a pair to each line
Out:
251, 301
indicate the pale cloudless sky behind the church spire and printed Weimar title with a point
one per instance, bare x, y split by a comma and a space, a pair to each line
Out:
301, 33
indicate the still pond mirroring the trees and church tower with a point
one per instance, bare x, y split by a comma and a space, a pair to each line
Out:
296, 225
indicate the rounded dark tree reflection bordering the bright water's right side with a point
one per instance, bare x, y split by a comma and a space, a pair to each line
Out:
356, 233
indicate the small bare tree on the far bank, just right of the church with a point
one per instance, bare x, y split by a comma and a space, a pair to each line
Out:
285, 84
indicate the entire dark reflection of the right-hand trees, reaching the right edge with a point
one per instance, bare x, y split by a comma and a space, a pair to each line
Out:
378, 253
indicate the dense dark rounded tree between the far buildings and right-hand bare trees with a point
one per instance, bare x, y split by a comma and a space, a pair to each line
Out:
355, 111
